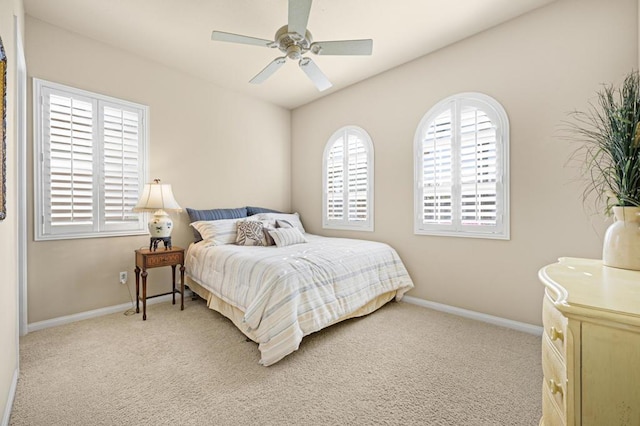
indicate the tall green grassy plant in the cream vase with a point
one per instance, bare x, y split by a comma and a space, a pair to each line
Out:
610, 153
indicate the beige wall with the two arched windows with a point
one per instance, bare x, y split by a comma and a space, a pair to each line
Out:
539, 66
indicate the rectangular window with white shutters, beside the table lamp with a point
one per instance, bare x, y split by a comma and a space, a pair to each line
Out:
91, 158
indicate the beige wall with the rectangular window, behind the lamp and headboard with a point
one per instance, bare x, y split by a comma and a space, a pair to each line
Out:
217, 149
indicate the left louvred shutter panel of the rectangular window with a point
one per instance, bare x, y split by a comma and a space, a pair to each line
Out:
70, 163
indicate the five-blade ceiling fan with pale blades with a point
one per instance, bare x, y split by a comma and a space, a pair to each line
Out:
294, 40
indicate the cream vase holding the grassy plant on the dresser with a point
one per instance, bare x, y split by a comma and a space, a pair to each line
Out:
621, 247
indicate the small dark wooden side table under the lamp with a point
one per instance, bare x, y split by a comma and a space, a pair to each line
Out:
146, 259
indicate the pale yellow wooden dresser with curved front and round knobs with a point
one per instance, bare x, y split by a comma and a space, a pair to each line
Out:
590, 344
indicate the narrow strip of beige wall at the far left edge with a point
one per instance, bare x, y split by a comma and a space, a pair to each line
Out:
9, 226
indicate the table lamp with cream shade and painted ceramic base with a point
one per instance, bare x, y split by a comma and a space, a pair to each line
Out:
157, 198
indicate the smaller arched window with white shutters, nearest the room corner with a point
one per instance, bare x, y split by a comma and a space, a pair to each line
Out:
348, 180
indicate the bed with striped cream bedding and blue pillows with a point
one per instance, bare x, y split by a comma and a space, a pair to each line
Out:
276, 292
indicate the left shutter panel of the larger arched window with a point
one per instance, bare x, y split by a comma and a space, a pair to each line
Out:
437, 178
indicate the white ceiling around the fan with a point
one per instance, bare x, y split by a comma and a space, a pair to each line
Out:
177, 33
